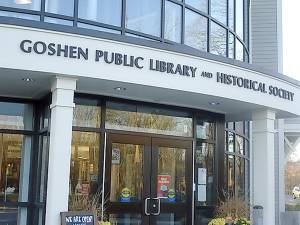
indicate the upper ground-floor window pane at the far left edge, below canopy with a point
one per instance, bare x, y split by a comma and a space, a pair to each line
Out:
16, 116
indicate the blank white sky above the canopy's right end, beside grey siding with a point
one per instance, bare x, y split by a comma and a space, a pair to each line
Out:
291, 38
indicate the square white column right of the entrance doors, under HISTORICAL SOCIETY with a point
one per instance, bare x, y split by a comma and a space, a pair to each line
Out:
263, 163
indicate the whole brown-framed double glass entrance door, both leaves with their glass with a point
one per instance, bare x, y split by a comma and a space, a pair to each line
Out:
148, 181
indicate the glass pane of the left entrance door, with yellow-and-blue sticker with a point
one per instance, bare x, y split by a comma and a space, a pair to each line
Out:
126, 172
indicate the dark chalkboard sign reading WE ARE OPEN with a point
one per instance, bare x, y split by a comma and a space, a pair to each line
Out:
78, 218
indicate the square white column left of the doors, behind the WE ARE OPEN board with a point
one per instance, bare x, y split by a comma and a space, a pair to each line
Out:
60, 148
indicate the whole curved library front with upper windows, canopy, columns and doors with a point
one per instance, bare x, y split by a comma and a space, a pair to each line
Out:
146, 104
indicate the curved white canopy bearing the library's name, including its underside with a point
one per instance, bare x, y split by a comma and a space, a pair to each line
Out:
129, 71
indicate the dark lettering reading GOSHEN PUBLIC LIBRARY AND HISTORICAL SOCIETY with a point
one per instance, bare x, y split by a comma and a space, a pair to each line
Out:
141, 63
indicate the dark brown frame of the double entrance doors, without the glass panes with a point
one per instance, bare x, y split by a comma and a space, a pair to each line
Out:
150, 144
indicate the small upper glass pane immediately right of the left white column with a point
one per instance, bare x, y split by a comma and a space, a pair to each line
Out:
87, 116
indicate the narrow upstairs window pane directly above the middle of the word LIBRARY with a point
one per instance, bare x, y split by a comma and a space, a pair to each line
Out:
173, 17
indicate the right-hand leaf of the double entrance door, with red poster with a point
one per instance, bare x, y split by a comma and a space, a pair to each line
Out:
171, 182
